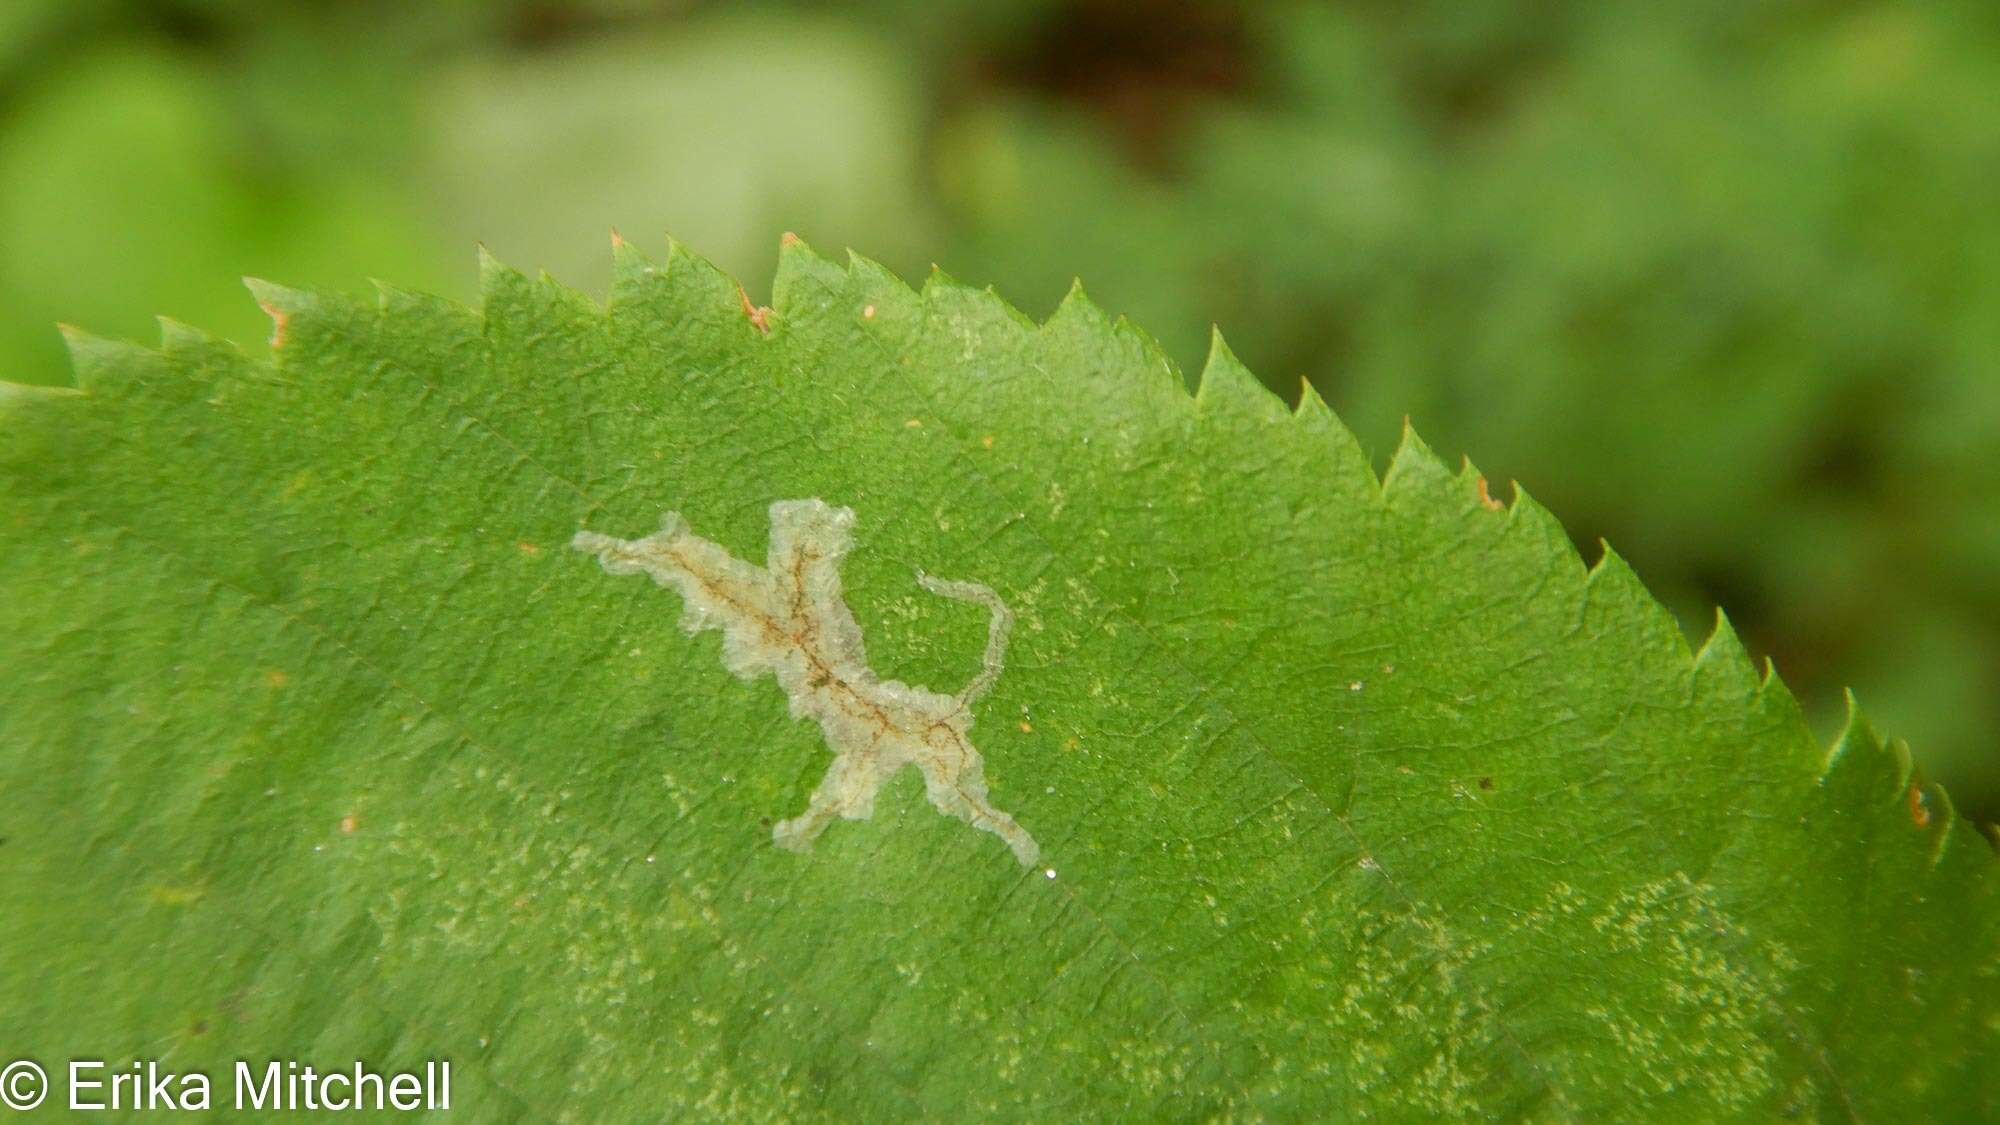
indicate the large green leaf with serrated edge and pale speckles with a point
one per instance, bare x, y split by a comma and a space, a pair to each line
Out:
1349, 796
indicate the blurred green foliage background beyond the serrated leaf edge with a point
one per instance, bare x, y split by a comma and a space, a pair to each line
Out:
1719, 281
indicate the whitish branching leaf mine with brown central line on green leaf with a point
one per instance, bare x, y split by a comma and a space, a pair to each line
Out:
793, 622
